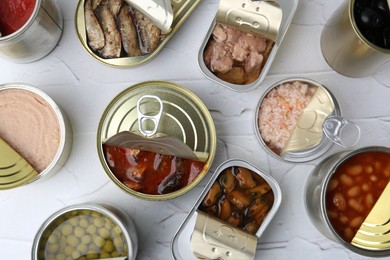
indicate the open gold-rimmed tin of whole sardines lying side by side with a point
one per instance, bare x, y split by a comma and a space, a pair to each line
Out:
121, 34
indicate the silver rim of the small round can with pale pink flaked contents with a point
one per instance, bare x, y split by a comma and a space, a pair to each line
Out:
313, 156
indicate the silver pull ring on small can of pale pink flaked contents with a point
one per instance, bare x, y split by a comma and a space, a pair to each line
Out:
341, 131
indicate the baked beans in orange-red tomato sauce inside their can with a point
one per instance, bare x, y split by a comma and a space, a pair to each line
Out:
353, 190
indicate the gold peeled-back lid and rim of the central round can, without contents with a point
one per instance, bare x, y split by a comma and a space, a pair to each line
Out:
184, 116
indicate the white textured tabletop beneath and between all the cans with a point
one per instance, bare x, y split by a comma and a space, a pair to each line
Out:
83, 87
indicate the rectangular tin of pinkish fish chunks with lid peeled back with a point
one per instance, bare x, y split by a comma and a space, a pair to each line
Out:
242, 41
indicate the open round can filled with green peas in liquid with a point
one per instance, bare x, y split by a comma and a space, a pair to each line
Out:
94, 231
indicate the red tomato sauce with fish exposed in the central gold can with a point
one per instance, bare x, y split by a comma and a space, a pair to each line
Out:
149, 172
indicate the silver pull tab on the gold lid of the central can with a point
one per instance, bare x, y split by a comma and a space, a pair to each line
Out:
144, 120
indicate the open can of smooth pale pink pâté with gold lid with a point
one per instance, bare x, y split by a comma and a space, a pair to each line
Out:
35, 135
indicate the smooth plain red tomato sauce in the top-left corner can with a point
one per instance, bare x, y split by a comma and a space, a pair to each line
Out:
14, 14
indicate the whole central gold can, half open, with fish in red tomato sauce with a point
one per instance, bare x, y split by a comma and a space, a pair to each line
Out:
156, 120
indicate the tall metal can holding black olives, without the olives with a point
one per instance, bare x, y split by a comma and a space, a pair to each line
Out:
346, 49
